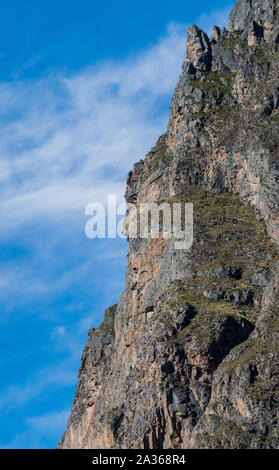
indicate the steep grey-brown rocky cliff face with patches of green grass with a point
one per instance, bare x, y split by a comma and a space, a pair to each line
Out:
189, 356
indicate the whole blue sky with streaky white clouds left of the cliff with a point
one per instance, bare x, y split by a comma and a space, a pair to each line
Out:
85, 92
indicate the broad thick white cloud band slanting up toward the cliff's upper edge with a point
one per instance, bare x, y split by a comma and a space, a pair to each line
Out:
75, 137
